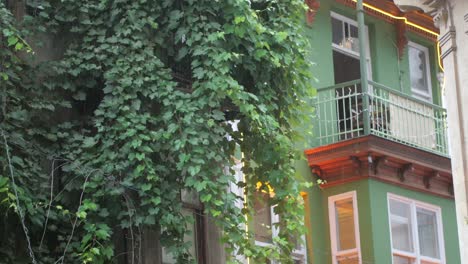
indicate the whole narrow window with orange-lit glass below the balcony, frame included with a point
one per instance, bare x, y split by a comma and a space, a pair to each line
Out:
344, 228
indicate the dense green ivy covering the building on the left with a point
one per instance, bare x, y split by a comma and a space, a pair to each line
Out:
123, 103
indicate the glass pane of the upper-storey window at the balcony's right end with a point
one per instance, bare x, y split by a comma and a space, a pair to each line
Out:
418, 70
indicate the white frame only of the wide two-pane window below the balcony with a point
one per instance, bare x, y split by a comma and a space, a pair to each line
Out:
414, 204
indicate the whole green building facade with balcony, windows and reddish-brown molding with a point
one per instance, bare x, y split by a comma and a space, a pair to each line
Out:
387, 195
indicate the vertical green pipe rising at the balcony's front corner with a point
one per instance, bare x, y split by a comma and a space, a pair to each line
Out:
363, 65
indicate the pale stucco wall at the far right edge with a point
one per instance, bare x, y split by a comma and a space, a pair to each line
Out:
454, 44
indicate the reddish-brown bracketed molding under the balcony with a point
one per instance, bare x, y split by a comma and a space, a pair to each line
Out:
383, 160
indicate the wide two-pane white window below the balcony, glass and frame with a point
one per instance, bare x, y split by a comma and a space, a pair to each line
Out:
416, 232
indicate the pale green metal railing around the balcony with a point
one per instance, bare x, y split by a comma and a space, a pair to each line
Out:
340, 115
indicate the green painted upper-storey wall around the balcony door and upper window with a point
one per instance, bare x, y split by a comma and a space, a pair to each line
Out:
386, 66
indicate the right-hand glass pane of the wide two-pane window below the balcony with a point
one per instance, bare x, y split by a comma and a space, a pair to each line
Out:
427, 230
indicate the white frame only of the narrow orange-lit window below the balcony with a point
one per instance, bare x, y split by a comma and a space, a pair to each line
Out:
333, 231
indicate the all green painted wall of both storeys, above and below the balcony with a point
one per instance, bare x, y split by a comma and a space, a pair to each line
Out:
392, 72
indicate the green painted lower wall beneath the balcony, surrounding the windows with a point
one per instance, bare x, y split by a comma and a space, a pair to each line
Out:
373, 220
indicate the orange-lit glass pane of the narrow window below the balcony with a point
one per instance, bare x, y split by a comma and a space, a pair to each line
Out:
344, 214
